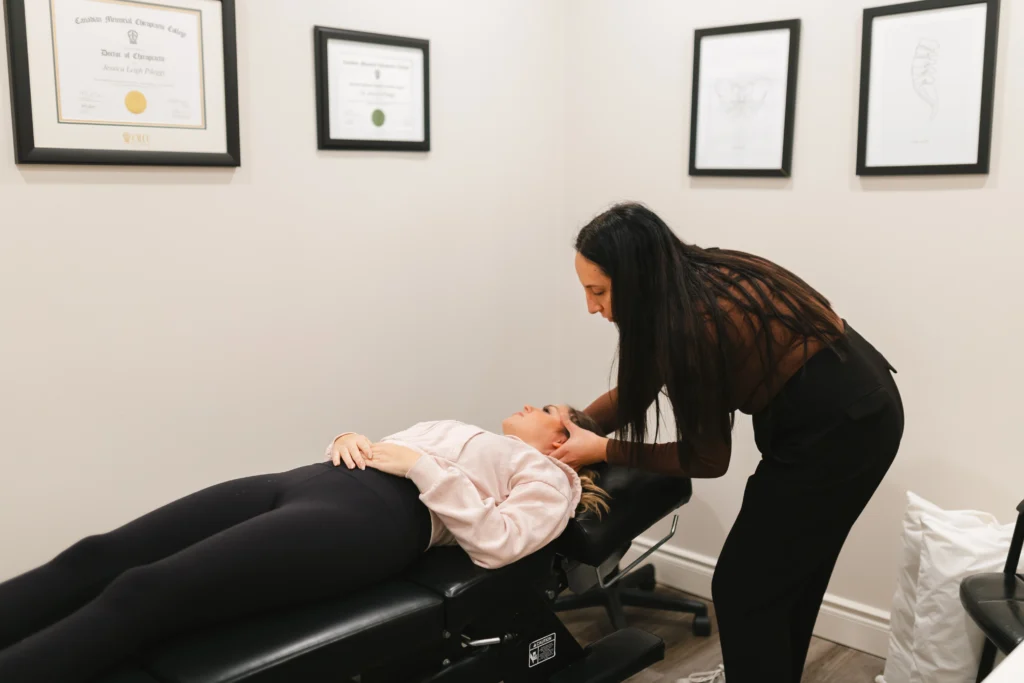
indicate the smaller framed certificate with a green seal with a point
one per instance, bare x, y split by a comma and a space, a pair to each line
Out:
373, 92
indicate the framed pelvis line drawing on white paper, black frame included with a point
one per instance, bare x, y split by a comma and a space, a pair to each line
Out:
745, 97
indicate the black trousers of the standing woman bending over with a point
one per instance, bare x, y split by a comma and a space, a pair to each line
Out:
827, 441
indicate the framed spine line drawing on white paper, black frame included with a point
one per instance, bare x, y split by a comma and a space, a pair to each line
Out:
927, 88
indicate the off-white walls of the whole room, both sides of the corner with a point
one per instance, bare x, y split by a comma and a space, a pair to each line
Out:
162, 330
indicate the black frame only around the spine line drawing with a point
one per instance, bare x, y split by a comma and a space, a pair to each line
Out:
988, 93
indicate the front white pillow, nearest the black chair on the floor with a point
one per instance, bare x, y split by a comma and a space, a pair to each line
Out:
947, 642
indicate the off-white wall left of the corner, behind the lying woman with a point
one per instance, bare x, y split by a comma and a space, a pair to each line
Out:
164, 330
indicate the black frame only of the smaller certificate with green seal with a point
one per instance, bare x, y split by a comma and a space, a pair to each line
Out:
322, 37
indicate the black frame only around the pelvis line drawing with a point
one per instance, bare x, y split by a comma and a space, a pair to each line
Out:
786, 168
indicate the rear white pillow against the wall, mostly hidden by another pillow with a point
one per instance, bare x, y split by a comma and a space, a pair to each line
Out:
900, 664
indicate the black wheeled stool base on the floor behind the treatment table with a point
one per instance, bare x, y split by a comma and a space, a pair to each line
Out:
635, 591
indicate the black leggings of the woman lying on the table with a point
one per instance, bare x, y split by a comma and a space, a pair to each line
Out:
229, 551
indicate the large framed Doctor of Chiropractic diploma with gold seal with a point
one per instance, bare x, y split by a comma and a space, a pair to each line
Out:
124, 82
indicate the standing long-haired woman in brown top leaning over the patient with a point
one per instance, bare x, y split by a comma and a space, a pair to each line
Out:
718, 332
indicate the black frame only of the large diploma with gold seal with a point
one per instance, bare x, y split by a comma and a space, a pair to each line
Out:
26, 150
